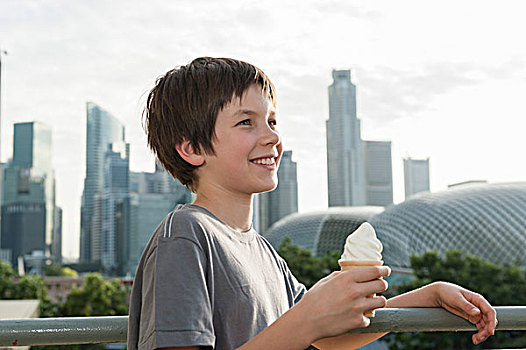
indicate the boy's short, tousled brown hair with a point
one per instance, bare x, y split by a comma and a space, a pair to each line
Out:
184, 105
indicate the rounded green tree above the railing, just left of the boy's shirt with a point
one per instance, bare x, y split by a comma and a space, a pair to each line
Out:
97, 297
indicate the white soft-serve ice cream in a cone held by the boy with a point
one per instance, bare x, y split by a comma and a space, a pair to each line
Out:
362, 248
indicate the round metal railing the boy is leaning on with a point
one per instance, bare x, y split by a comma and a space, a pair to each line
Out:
113, 329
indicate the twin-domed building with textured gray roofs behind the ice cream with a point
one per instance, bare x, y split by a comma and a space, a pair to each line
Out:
487, 220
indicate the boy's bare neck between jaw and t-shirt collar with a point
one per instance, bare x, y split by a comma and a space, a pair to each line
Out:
233, 209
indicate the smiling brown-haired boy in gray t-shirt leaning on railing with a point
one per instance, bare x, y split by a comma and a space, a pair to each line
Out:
206, 279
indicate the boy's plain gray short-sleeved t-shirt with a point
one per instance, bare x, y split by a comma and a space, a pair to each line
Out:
201, 283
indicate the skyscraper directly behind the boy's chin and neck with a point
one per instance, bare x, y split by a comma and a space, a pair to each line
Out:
283, 201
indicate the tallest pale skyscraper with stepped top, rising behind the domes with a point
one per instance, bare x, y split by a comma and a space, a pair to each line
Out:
345, 171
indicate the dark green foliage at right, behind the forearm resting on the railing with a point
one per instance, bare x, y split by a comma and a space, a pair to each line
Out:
499, 284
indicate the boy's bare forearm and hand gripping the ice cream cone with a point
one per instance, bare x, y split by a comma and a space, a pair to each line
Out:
333, 306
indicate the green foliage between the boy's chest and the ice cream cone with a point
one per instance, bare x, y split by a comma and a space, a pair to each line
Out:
307, 268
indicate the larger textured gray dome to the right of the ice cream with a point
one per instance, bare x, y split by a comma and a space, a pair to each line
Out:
487, 220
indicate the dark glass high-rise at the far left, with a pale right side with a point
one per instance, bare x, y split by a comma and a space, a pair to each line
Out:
28, 206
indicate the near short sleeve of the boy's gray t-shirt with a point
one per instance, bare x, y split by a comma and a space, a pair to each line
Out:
181, 303
